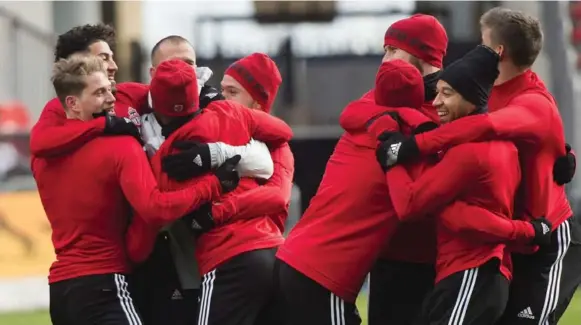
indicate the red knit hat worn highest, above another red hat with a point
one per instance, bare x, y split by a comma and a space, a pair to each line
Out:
421, 36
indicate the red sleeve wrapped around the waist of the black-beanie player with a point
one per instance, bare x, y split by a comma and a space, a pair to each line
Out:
486, 226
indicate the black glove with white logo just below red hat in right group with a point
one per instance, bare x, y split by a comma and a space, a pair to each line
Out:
395, 148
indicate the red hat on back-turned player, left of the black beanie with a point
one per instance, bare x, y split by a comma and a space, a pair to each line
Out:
399, 84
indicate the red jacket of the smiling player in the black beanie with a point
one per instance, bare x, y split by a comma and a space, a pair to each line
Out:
484, 175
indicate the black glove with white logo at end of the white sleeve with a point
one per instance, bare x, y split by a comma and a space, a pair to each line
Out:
192, 161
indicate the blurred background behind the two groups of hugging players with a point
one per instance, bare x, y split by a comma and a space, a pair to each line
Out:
327, 51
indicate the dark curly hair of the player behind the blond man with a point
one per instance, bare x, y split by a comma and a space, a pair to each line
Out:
79, 38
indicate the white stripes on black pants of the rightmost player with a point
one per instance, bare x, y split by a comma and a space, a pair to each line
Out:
552, 294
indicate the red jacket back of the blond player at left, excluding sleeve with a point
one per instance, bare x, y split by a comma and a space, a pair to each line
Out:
86, 208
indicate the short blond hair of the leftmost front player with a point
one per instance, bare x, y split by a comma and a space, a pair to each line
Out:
69, 75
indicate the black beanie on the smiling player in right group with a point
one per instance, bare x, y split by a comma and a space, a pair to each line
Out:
473, 75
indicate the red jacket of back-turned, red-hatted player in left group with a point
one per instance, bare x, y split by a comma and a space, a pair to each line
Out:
234, 124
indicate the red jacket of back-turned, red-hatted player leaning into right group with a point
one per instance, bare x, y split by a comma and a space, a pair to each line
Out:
343, 230
